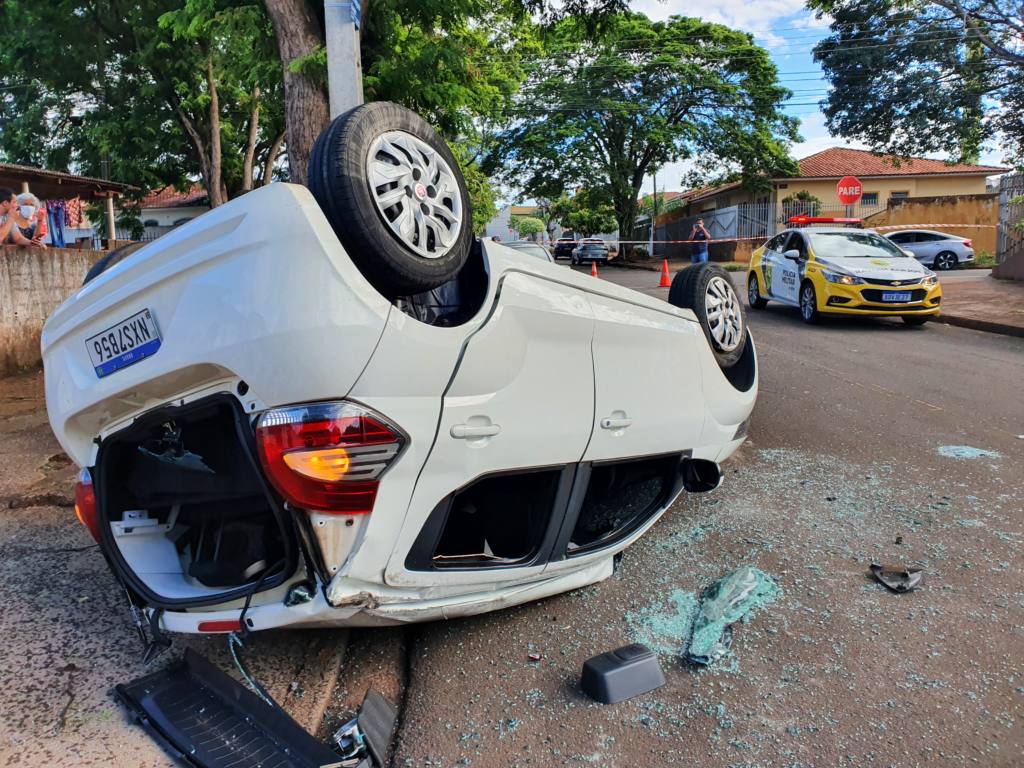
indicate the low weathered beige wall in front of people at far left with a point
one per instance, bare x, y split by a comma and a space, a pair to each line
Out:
33, 283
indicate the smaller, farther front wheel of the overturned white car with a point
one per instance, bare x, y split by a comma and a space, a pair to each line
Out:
703, 289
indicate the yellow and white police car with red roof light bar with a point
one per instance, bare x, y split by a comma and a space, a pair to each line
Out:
838, 271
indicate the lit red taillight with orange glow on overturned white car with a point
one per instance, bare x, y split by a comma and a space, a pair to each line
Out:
327, 456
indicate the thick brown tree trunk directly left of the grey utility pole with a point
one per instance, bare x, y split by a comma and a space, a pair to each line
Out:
307, 105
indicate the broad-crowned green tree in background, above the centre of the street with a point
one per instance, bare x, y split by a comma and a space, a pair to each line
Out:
600, 113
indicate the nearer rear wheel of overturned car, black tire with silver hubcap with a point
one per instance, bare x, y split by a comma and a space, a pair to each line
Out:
395, 196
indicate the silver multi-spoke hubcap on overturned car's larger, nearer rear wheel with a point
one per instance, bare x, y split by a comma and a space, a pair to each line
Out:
416, 193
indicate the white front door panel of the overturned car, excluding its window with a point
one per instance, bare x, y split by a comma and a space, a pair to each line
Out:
646, 363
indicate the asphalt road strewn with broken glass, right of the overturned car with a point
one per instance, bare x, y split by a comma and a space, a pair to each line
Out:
846, 457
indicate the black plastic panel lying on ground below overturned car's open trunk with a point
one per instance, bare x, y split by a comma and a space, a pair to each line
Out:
206, 719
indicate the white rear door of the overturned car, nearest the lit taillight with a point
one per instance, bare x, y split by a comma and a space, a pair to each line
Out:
522, 401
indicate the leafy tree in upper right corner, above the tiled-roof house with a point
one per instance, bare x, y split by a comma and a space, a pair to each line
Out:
912, 77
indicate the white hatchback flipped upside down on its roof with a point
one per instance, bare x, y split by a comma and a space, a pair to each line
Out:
335, 407
